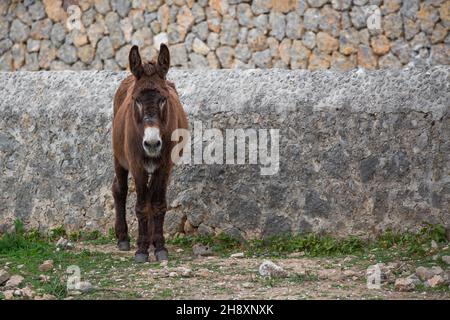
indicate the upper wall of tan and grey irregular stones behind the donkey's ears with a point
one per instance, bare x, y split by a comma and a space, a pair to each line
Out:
301, 34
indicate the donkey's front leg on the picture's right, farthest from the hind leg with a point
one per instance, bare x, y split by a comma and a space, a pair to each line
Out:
158, 188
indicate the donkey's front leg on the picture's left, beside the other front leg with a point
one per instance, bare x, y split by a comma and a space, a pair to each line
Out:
144, 215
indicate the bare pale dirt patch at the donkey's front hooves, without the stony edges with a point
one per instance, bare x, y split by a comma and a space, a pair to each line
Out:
238, 278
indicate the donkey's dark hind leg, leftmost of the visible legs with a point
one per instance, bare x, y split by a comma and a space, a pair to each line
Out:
120, 190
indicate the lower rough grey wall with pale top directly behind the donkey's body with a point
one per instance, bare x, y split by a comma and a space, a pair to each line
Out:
360, 151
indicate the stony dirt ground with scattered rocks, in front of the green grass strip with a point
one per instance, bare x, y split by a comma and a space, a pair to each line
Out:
197, 273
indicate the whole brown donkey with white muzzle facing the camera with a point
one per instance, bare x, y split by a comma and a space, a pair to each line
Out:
147, 110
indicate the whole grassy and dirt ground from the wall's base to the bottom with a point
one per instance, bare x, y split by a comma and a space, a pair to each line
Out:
114, 274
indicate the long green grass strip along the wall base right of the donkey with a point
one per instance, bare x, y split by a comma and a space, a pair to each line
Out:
387, 246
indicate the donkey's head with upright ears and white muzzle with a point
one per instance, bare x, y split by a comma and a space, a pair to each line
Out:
150, 99
